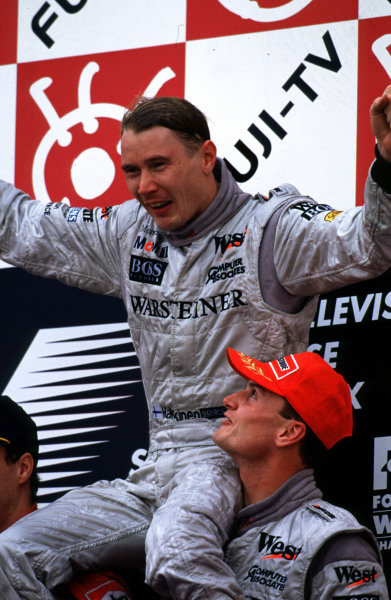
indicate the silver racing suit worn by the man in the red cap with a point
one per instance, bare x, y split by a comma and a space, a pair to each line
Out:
294, 545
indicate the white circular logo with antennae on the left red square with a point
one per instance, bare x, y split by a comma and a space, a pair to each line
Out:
91, 166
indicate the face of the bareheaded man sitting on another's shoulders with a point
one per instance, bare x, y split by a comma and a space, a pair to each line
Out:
162, 175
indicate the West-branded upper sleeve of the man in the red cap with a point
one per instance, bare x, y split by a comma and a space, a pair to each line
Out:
347, 567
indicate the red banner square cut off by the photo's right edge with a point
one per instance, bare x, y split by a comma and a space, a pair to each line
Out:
374, 74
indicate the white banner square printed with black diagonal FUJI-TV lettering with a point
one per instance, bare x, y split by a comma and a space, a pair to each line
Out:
296, 90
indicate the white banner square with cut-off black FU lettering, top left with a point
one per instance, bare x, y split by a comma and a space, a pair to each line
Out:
55, 30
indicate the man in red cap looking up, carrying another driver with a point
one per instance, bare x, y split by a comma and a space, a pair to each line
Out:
288, 542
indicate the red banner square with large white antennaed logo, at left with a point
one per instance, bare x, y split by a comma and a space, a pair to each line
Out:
68, 128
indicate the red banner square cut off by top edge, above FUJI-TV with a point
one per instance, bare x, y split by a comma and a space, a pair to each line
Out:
214, 18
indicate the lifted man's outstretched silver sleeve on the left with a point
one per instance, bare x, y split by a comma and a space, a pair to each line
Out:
75, 245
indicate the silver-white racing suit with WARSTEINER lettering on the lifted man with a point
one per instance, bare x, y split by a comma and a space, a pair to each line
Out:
247, 280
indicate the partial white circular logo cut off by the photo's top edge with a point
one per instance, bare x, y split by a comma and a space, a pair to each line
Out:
265, 11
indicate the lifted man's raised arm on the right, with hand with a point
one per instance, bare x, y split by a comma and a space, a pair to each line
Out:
318, 250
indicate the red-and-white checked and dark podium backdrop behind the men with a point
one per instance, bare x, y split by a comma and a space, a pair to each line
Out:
286, 86
